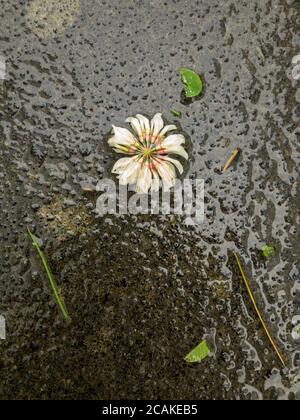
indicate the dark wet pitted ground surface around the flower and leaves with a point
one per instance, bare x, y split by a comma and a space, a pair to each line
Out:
142, 291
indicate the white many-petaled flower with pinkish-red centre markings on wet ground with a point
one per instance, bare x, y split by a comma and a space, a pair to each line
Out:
148, 149
